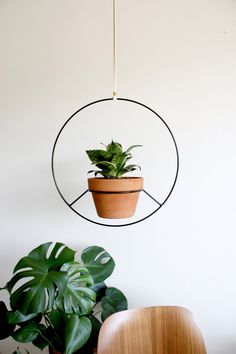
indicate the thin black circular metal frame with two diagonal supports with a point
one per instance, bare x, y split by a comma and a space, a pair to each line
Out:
159, 205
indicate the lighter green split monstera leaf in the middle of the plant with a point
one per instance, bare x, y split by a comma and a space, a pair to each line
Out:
78, 298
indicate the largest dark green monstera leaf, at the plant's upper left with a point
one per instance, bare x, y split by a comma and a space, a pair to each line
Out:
43, 280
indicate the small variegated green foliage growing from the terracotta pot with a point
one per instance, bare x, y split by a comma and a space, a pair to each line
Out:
112, 162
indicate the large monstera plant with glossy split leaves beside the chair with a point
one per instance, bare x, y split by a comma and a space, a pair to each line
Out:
60, 303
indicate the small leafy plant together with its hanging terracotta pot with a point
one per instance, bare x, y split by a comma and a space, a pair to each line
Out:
114, 195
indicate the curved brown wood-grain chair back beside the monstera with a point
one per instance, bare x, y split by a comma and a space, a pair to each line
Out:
151, 330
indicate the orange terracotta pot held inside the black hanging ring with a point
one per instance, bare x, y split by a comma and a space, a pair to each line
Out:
115, 198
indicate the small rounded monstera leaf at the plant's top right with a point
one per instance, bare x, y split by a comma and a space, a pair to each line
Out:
99, 263
